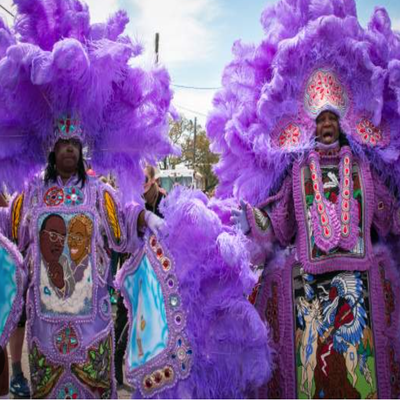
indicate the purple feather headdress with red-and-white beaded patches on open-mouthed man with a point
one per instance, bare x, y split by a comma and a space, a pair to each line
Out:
315, 57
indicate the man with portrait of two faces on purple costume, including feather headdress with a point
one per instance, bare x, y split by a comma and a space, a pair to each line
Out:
70, 88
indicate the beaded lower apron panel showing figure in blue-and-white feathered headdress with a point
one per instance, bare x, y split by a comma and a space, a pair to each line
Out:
335, 354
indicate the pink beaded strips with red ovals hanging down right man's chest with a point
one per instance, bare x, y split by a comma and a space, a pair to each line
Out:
334, 225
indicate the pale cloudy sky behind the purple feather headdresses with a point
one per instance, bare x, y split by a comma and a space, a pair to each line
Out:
196, 37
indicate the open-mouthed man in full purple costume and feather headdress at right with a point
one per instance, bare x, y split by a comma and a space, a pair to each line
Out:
312, 153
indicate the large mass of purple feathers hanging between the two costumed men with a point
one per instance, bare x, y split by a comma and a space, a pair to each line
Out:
229, 340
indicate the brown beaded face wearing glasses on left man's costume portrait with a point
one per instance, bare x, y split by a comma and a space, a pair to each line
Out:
52, 239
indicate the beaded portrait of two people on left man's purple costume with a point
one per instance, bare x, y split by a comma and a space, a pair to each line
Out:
65, 281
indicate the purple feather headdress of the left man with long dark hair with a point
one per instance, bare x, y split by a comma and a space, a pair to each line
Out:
61, 76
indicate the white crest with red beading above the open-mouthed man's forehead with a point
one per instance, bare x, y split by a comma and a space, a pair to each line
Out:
323, 90
